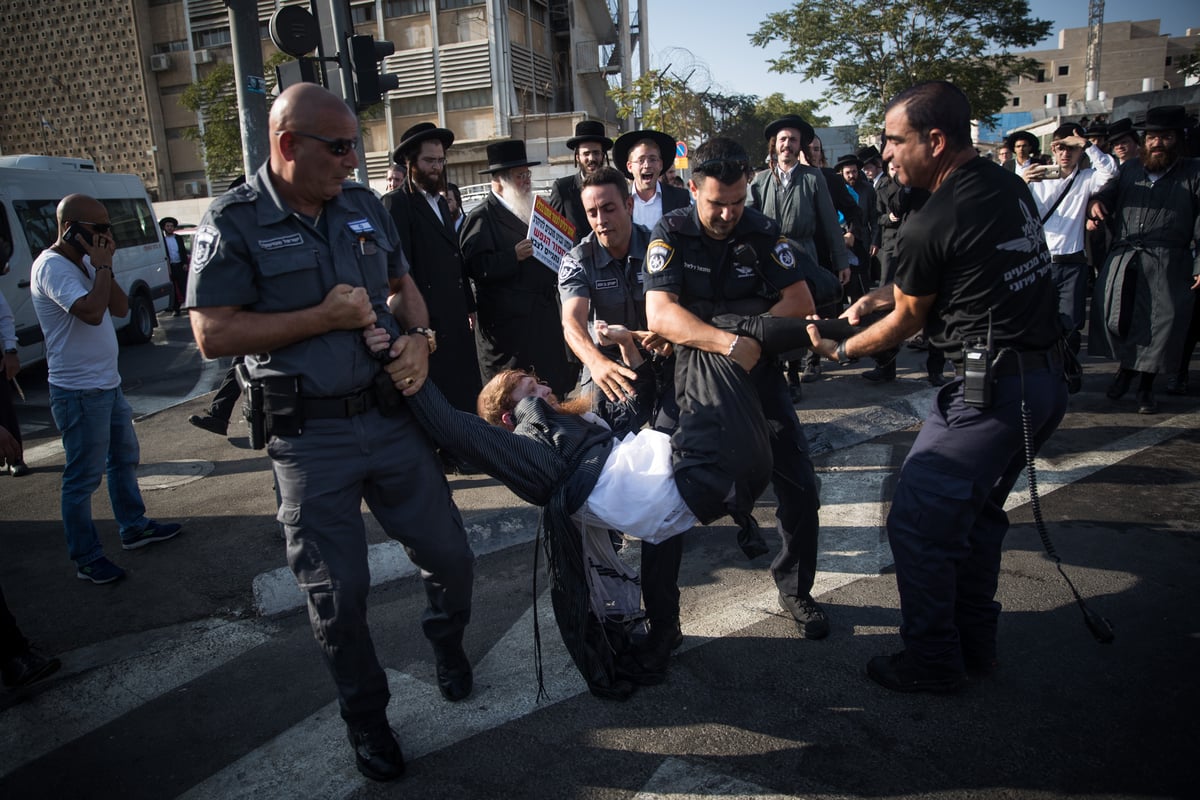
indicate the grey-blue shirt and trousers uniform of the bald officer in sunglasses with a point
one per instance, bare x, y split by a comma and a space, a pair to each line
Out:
255, 252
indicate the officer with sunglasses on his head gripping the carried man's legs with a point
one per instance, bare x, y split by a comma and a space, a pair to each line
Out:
719, 257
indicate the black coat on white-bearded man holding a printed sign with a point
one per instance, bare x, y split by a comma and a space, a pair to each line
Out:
520, 326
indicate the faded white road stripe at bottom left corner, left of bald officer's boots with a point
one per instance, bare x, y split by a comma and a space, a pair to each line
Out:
76, 708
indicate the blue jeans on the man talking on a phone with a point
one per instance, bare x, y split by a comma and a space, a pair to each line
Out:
98, 438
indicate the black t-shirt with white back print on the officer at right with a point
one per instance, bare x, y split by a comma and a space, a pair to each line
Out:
979, 245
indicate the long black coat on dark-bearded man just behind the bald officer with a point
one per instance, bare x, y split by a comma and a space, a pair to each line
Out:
437, 268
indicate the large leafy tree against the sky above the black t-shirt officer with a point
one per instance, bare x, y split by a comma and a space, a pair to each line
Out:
869, 51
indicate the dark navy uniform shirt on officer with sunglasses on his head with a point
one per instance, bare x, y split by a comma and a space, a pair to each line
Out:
709, 275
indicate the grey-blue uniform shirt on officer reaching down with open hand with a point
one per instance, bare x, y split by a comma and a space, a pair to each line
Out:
614, 287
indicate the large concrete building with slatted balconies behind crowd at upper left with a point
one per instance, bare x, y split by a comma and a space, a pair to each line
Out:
104, 81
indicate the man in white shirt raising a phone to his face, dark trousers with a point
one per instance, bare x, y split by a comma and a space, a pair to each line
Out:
1063, 191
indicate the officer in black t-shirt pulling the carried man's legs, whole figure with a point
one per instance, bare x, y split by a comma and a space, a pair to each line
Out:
971, 269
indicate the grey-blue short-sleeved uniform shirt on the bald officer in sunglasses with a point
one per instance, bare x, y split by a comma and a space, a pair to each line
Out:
254, 251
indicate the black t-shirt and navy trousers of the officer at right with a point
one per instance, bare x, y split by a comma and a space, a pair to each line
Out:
977, 244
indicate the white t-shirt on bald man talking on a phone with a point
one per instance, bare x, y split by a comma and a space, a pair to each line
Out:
80, 356
